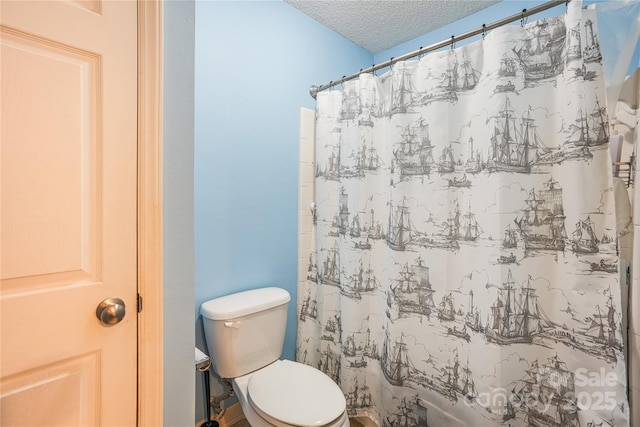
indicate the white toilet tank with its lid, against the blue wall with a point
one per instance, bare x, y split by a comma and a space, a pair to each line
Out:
245, 331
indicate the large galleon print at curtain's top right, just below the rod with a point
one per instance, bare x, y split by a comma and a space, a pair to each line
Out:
541, 53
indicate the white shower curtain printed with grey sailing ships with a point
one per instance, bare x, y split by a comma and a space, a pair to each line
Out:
464, 267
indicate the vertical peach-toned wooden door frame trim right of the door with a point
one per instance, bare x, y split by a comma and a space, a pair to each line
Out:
150, 319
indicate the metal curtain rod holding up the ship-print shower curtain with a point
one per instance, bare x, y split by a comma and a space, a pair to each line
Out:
313, 90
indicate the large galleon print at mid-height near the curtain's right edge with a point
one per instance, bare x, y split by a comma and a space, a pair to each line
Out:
541, 221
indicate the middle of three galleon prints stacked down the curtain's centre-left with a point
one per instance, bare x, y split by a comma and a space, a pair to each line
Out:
412, 290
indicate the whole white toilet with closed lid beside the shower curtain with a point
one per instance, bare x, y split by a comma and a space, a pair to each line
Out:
245, 336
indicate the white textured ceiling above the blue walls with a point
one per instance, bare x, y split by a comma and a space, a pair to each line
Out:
378, 25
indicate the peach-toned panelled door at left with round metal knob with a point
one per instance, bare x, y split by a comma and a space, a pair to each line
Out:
68, 102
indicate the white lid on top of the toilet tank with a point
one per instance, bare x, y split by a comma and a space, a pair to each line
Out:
244, 303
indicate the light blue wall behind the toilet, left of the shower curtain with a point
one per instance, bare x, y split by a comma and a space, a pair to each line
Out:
254, 63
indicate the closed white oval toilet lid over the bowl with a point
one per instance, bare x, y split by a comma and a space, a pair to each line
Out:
296, 394
